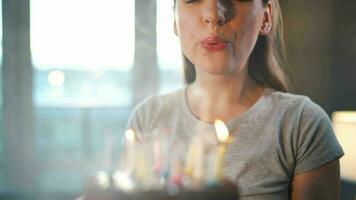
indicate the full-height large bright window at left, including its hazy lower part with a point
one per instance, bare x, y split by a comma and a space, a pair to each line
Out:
82, 53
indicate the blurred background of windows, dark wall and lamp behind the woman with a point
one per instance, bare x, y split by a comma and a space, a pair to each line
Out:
72, 70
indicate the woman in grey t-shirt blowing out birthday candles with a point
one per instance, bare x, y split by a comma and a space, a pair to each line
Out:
284, 146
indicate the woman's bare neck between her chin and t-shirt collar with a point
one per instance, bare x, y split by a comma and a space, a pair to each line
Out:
222, 96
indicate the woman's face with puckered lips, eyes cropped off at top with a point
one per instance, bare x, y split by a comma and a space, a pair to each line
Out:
218, 36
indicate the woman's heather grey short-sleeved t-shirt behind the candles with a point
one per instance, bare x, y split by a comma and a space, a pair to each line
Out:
280, 136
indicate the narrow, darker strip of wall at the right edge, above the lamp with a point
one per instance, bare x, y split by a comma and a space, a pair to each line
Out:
343, 54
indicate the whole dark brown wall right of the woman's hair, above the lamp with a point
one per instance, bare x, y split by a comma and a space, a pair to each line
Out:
321, 48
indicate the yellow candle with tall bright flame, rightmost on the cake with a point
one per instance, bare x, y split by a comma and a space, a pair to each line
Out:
223, 135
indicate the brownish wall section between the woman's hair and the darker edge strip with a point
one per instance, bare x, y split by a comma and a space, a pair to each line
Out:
307, 33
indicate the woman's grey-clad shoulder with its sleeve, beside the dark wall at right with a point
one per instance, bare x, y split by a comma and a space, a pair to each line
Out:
309, 129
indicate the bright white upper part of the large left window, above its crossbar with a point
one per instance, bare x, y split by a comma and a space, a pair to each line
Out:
90, 44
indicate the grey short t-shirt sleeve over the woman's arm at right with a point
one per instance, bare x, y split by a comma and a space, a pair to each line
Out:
316, 143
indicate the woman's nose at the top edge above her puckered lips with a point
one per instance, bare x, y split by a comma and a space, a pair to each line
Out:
214, 13
